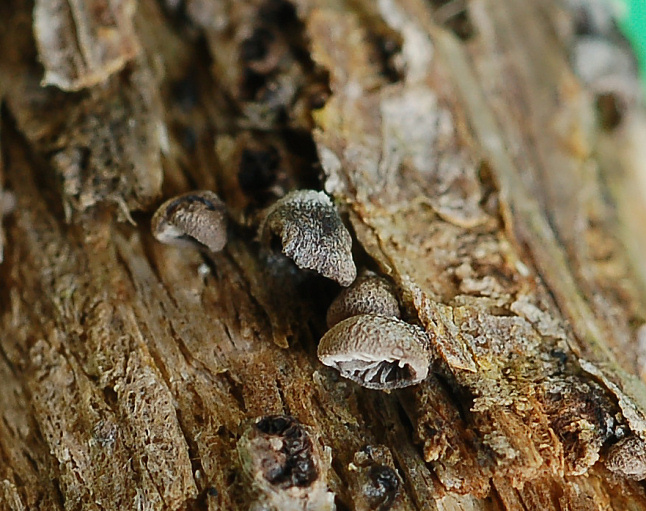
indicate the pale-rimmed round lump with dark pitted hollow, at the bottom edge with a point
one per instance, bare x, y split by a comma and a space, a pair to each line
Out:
286, 465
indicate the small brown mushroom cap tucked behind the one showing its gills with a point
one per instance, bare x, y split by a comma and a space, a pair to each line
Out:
369, 294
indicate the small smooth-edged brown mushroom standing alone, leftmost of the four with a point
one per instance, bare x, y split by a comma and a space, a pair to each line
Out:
194, 218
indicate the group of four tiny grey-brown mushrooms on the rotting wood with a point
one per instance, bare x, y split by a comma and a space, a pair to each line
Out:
367, 341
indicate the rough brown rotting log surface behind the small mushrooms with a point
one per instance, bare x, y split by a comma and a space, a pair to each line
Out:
462, 155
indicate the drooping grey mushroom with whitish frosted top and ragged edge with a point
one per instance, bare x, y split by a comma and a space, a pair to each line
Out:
312, 234
